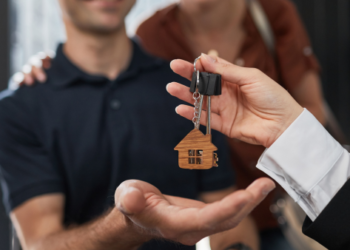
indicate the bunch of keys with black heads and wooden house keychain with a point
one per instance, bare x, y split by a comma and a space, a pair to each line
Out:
196, 151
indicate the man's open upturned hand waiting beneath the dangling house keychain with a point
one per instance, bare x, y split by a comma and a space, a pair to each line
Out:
183, 220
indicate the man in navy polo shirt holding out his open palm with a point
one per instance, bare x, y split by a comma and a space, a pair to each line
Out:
103, 118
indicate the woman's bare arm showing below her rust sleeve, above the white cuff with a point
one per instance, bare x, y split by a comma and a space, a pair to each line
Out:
308, 94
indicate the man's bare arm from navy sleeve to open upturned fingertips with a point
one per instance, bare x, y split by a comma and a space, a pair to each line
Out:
141, 213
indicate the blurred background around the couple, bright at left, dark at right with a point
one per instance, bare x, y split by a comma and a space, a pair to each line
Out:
30, 26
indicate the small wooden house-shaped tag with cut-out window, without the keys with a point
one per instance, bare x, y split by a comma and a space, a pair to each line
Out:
196, 151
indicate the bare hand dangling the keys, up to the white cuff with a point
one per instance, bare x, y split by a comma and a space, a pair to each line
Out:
252, 108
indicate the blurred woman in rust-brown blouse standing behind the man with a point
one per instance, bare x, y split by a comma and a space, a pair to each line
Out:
187, 29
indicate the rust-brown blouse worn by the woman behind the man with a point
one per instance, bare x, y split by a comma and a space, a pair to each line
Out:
162, 36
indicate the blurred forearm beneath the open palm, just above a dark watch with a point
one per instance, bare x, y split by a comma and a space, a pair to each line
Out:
245, 233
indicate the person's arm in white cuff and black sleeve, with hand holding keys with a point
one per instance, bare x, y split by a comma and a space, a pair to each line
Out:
301, 156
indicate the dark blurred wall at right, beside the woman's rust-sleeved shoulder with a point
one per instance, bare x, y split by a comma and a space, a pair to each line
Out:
328, 24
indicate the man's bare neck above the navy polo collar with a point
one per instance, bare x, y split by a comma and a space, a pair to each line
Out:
102, 54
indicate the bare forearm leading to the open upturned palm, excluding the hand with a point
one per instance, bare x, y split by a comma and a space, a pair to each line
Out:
112, 231
